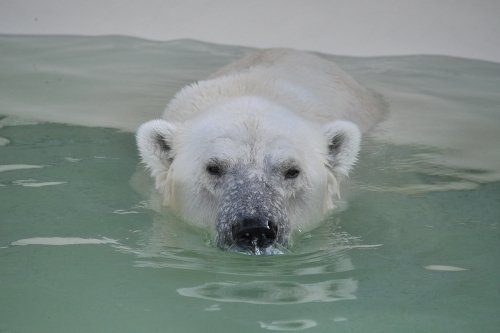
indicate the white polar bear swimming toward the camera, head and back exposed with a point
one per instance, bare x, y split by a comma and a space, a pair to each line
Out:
257, 150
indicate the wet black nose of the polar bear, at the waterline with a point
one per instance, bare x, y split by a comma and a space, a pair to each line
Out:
254, 233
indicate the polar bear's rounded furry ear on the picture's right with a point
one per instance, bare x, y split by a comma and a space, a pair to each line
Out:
343, 140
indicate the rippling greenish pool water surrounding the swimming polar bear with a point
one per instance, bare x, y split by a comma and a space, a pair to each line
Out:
84, 246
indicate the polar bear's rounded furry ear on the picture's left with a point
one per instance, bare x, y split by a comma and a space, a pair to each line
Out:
155, 143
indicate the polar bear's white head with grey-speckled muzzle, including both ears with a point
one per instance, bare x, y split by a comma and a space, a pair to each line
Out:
249, 168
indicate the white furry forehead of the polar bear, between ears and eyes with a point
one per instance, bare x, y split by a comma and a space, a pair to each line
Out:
251, 135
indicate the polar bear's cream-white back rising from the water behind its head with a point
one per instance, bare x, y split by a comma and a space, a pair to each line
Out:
310, 86
